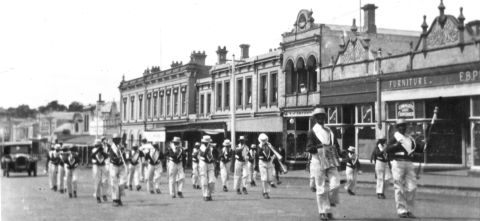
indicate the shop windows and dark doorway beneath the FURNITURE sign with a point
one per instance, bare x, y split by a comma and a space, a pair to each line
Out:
449, 134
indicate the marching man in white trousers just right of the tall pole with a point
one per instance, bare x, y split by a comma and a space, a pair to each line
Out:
241, 167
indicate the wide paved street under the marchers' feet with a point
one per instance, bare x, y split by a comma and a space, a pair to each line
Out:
28, 198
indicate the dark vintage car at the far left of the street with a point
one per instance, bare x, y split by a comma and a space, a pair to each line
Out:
17, 157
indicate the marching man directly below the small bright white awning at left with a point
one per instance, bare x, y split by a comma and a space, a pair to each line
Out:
155, 169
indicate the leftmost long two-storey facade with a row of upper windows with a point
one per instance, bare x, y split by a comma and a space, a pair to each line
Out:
160, 103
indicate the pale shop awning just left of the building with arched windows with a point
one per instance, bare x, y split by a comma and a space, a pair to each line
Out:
258, 124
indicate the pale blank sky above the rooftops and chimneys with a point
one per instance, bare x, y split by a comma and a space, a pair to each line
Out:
69, 50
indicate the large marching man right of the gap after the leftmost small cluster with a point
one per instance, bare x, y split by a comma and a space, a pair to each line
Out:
100, 173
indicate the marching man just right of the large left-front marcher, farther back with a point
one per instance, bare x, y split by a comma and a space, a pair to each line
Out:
134, 168
